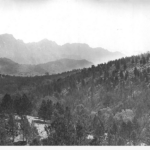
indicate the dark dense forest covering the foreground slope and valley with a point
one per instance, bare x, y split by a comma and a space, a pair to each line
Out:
107, 104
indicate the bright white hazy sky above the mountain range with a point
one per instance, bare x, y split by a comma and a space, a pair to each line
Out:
116, 25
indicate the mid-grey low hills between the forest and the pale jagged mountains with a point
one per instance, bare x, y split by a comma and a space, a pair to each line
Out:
7, 66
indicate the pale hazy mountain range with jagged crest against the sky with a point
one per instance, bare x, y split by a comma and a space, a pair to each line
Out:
45, 51
